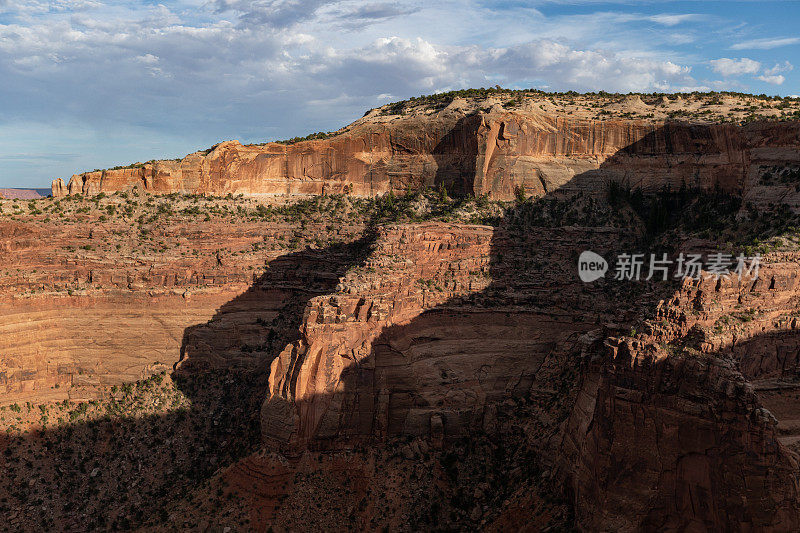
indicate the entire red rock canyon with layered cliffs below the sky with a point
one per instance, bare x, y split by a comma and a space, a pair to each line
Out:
385, 328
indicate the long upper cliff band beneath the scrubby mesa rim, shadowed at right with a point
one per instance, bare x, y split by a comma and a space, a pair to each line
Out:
484, 152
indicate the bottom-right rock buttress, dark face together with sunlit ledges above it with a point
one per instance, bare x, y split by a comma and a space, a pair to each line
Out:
693, 396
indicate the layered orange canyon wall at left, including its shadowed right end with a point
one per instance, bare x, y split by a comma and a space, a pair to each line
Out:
87, 306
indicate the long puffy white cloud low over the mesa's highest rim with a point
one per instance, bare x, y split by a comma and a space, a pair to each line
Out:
403, 66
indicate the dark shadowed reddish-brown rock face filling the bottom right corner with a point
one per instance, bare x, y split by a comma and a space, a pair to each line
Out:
679, 444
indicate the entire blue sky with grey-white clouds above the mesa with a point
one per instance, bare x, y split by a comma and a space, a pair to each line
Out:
88, 84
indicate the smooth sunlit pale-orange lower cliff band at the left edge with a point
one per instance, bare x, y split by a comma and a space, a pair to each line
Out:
73, 346
